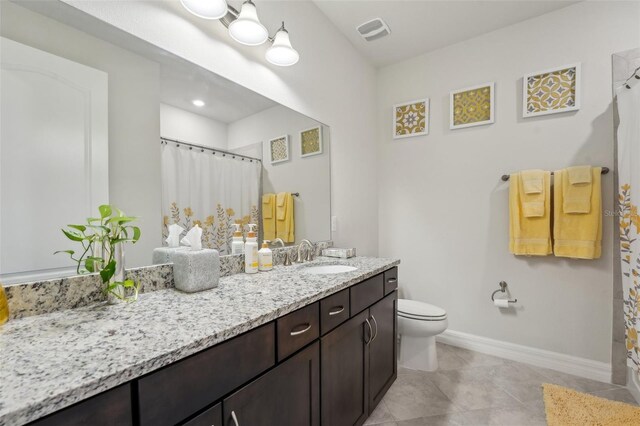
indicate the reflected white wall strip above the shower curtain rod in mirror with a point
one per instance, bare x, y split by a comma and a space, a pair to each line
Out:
177, 123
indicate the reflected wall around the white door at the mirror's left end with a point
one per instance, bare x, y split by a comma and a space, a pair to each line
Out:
134, 120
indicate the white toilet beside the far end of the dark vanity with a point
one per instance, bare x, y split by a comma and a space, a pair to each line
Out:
418, 325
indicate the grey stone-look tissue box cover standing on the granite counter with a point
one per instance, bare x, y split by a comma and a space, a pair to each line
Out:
196, 270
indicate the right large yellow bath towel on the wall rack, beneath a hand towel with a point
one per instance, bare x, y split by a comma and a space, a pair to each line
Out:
577, 235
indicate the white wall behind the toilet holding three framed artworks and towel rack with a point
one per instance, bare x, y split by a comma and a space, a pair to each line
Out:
443, 207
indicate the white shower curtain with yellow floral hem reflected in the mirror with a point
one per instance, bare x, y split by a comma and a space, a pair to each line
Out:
213, 191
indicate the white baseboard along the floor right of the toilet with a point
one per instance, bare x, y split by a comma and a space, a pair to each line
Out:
577, 366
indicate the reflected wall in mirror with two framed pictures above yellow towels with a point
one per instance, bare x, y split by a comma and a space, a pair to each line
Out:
310, 176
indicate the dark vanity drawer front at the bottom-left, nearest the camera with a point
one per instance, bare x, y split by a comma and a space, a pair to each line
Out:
112, 407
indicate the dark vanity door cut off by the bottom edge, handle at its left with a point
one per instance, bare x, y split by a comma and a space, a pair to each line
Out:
288, 395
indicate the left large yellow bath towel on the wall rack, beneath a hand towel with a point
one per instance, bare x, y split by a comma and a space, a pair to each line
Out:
530, 236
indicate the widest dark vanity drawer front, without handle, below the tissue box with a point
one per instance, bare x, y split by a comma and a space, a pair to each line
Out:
172, 394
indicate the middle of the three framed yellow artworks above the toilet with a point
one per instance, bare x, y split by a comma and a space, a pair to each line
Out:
472, 106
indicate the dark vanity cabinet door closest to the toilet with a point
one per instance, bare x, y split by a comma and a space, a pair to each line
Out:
383, 365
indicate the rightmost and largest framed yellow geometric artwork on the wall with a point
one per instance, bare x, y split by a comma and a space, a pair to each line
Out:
552, 91
